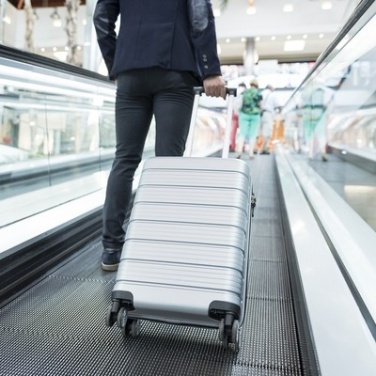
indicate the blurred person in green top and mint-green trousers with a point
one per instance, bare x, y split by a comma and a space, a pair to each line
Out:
249, 119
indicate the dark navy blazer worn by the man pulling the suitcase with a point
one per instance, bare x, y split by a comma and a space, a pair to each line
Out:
171, 34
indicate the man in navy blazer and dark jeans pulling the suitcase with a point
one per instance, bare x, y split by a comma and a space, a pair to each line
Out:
162, 50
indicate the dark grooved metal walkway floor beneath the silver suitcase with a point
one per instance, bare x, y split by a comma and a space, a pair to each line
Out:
57, 327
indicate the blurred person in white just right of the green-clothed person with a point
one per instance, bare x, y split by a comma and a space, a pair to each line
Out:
270, 107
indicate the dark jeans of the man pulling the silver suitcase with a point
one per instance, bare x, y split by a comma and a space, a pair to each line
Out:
168, 95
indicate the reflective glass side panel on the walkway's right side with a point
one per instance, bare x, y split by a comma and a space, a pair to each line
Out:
334, 111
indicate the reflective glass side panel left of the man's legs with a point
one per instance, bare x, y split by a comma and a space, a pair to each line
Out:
53, 127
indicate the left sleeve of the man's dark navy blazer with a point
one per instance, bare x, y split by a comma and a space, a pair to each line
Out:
105, 15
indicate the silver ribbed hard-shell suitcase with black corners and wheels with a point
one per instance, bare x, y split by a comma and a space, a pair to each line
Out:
186, 250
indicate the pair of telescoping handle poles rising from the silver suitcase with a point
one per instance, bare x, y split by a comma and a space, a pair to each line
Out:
198, 90
